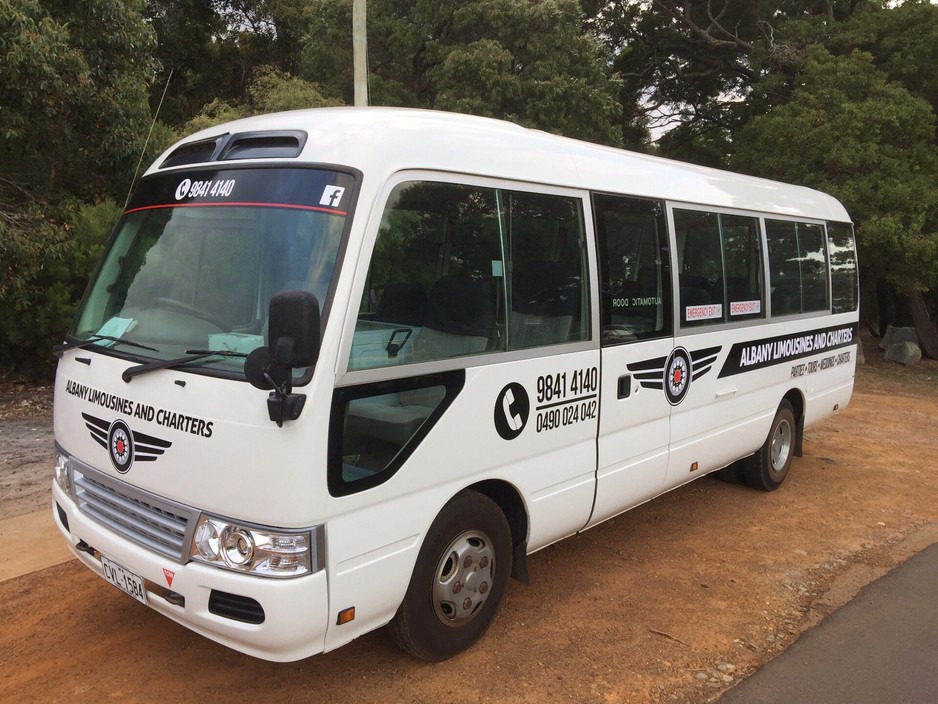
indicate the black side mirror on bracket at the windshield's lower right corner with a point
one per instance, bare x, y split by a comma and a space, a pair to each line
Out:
293, 341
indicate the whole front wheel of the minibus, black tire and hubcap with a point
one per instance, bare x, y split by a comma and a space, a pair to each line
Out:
458, 582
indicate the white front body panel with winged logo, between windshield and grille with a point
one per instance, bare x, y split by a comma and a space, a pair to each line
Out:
277, 483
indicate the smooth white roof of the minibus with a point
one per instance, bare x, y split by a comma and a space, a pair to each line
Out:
380, 141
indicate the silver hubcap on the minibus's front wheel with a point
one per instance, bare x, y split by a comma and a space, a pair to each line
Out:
463, 578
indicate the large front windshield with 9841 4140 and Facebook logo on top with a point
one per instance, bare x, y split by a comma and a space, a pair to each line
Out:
197, 257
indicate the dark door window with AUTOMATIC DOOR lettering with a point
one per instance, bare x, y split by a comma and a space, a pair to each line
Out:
635, 276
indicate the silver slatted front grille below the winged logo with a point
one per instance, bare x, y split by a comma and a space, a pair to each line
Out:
158, 524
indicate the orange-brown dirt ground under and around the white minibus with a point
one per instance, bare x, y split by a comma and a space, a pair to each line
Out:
672, 602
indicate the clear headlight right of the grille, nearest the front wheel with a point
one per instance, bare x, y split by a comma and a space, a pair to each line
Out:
256, 550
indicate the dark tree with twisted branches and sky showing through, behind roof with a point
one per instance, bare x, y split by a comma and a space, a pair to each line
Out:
701, 69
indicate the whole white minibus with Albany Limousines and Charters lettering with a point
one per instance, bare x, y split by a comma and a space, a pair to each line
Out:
342, 368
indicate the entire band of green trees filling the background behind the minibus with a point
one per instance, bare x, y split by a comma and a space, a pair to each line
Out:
840, 95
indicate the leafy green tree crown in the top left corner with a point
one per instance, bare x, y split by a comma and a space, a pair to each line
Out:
74, 77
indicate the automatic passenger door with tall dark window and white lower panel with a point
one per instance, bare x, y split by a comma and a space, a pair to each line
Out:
637, 342
